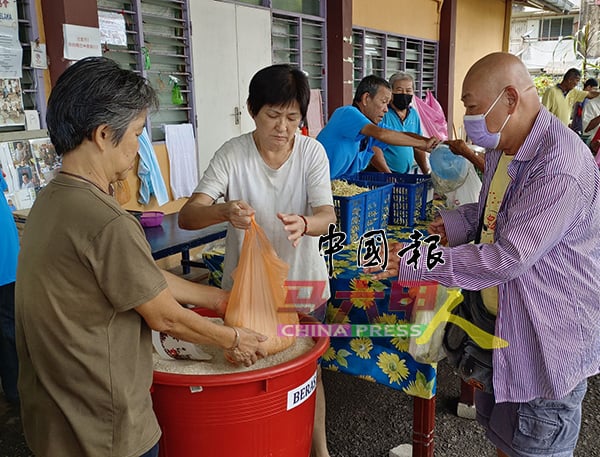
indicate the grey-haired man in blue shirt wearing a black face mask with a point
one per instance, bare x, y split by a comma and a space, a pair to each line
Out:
402, 117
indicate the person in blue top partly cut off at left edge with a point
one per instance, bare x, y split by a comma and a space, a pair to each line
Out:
9, 249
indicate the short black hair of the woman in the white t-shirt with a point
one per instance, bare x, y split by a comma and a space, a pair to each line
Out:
278, 85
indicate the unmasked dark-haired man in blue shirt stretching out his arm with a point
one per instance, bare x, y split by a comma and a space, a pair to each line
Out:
355, 134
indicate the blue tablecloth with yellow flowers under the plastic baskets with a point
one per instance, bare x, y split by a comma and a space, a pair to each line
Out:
358, 299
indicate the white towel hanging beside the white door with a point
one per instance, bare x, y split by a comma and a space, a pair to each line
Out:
181, 147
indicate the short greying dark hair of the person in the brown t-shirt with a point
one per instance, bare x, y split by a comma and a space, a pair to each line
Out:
92, 92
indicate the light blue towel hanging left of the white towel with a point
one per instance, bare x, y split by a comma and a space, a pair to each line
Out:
151, 181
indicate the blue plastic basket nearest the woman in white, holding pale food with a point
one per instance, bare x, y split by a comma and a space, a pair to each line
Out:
363, 212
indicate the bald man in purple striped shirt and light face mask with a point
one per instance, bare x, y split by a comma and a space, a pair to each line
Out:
537, 265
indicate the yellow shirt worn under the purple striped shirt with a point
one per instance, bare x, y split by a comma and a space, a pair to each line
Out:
496, 193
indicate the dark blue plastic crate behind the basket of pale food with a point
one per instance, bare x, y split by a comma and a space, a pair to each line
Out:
411, 198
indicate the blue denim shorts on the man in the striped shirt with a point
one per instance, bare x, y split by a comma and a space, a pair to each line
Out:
540, 427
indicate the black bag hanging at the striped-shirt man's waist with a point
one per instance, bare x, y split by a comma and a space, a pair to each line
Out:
473, 363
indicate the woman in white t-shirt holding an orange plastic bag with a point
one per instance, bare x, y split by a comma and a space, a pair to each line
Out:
280, 177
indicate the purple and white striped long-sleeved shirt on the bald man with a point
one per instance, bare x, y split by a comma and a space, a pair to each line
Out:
545, 260
